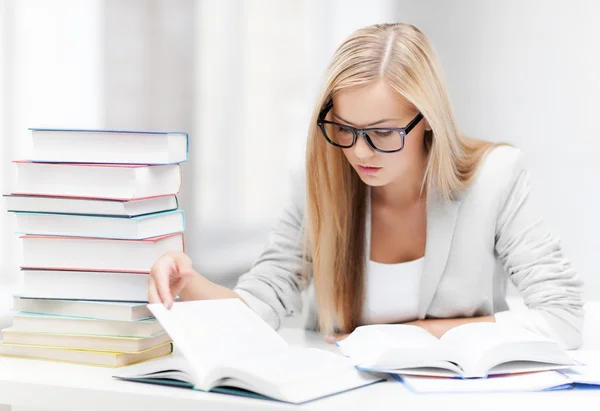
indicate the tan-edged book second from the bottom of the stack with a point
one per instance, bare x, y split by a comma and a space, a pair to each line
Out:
84, 342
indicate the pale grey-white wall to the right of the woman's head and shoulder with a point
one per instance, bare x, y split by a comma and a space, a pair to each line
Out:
528, 73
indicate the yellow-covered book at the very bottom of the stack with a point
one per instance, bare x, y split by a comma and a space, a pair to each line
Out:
83, 357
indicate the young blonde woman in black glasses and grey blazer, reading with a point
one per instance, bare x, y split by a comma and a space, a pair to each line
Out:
399, 218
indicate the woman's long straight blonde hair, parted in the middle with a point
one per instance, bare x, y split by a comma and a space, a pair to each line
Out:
401, 55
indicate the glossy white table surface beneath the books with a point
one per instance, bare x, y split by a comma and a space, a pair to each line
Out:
33, 384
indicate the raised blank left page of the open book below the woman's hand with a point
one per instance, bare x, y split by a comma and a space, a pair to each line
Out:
214, 332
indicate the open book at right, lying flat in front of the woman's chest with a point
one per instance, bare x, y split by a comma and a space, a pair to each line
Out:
470, 350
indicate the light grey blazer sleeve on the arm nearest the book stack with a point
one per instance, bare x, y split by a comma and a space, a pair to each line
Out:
273, 286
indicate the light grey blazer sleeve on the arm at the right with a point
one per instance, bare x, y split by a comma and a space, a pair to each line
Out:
533, 258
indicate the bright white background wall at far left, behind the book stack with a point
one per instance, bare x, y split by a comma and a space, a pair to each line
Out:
50, 78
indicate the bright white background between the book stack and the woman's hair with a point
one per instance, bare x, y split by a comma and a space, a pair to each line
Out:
258, 68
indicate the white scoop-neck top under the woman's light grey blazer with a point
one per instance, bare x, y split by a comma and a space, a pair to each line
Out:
392, 292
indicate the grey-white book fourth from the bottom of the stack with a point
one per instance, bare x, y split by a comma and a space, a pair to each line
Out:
106, 310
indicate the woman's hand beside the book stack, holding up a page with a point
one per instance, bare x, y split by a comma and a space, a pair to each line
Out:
168, 277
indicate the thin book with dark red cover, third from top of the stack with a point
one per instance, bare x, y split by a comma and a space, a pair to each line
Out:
87, 206
